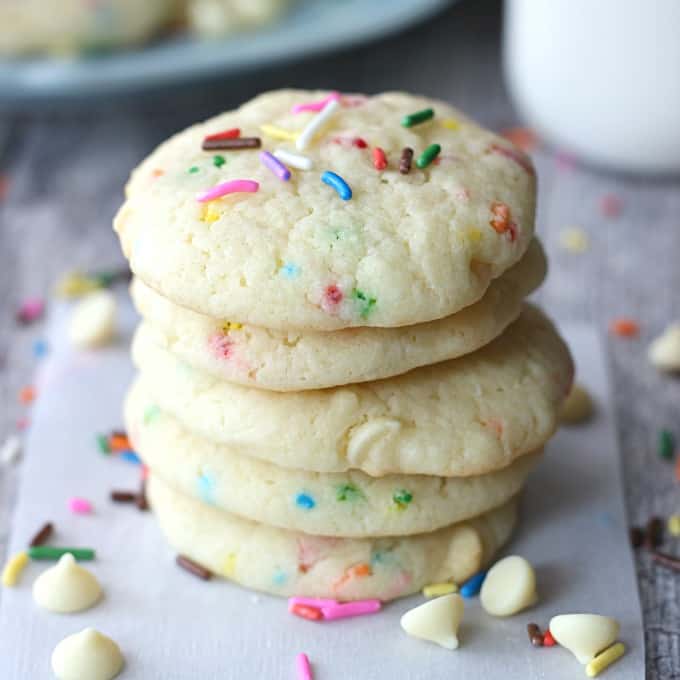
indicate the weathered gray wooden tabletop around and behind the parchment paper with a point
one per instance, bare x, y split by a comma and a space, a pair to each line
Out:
66, 169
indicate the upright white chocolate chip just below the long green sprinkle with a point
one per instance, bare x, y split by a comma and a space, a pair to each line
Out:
66, 587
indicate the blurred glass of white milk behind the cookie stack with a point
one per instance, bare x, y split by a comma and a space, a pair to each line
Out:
600, 78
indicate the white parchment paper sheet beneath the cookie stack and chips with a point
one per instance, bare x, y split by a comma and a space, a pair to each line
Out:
172, 626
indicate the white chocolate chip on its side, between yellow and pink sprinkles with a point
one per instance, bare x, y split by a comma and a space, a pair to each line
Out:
437, 620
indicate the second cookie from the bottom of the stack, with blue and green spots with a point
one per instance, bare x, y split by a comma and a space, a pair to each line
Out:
330, 504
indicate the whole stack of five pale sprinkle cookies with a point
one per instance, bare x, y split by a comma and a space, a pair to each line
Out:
341, 390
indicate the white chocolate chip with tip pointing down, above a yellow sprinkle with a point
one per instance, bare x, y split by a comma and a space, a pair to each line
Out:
585, 635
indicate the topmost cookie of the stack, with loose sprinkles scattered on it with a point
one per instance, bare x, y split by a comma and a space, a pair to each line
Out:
404, 249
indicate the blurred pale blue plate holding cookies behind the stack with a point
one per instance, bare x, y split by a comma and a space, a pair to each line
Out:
312, 27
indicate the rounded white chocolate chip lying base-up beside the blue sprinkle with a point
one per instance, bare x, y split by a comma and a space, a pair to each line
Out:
509, 587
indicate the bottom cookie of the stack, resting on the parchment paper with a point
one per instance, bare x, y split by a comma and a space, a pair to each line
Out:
290, 563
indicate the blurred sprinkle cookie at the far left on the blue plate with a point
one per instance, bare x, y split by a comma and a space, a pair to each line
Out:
68, 26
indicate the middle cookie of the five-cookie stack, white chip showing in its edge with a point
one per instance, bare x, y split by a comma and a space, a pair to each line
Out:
466, 416
